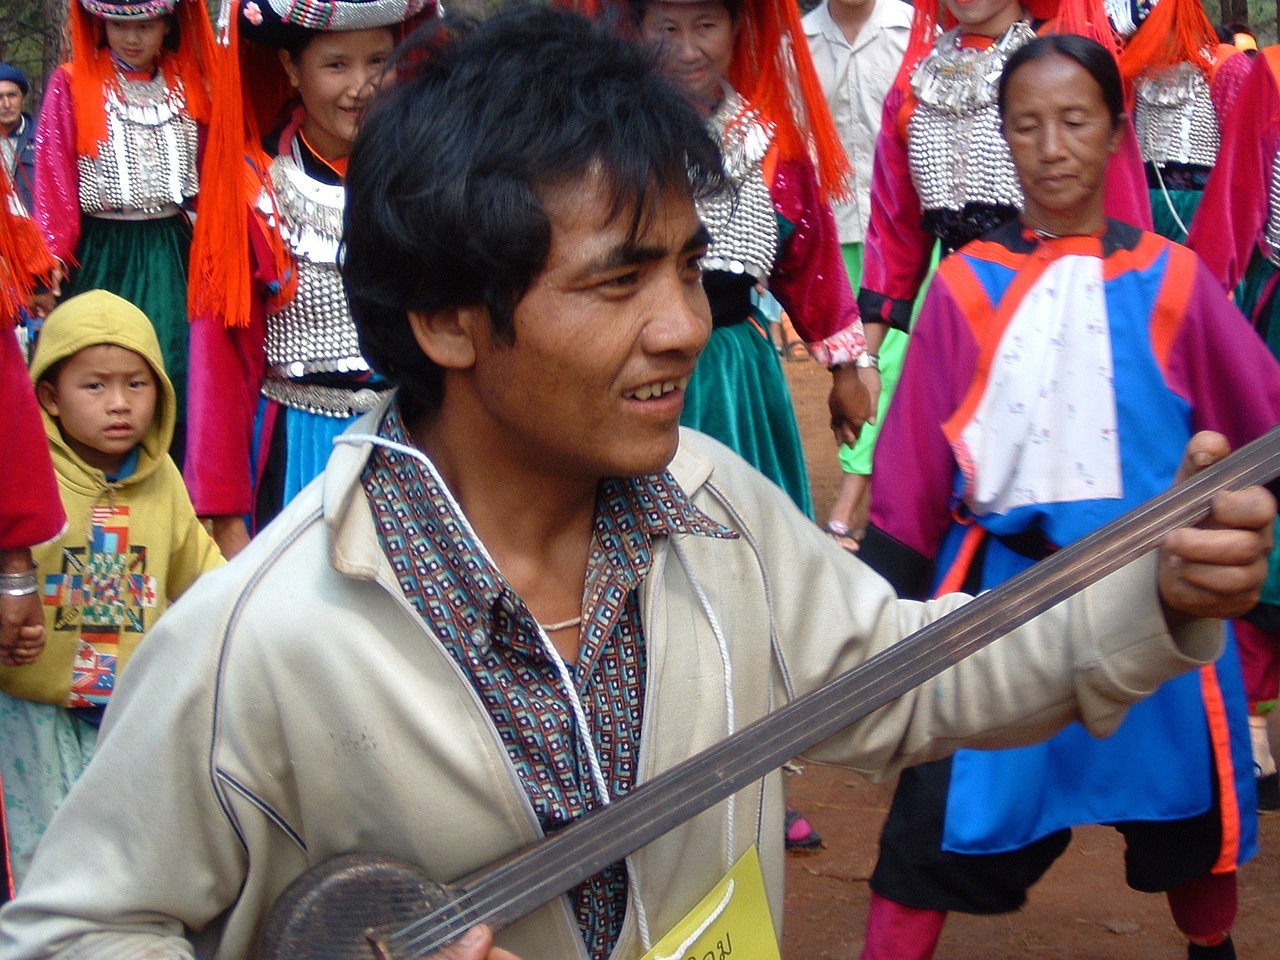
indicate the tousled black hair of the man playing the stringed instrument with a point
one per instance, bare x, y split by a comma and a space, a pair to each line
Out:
447, 173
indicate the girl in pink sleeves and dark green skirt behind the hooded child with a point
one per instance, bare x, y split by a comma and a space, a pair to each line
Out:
117, 161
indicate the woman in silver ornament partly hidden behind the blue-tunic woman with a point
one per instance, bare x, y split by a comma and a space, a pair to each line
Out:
943, 172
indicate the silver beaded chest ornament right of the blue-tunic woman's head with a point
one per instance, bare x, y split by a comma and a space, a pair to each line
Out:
1174, 118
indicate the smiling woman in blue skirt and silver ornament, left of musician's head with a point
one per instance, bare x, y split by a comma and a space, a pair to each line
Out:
277, 371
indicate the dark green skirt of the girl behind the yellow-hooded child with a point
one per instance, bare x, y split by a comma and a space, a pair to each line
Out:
145, 262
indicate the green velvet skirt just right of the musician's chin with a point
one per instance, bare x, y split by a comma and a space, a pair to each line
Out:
739, 396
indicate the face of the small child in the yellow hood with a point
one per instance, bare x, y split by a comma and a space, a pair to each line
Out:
104, 399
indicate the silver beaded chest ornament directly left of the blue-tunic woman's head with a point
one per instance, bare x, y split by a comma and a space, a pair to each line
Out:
954, 145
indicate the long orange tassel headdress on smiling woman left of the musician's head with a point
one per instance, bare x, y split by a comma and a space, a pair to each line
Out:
250, 94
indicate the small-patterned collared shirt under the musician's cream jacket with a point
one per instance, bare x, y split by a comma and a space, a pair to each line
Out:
469, 606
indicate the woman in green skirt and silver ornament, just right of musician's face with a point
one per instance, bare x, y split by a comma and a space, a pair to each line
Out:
774, 230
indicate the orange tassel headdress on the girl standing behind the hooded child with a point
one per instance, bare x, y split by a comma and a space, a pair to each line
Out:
93, 71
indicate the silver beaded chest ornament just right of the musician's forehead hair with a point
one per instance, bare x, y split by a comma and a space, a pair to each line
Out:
742, 221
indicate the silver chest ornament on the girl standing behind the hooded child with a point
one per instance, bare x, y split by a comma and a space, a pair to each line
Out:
148, 163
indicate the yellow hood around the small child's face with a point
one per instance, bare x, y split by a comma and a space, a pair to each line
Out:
88, 321
